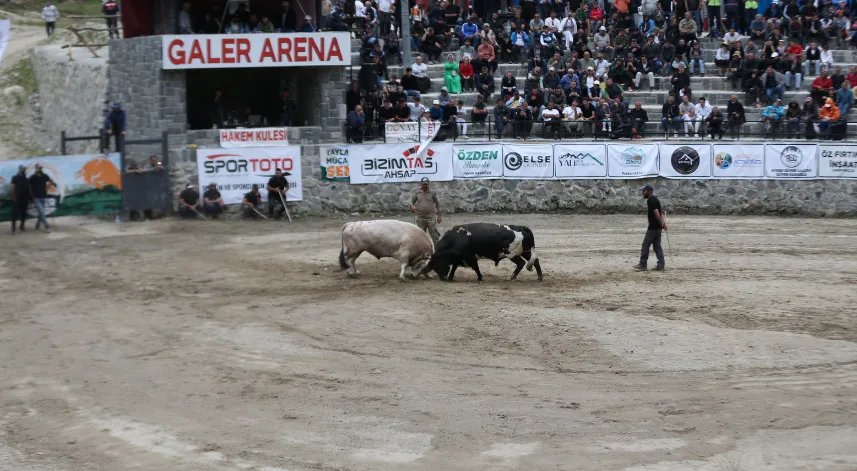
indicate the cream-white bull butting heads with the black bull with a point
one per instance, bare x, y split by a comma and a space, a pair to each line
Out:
403, 241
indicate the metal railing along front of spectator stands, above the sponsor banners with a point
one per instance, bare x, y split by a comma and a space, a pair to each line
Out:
558, 130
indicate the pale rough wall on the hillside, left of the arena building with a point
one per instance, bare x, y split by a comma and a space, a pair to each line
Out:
72, 95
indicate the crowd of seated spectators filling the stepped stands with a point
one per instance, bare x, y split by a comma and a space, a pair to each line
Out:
581, 57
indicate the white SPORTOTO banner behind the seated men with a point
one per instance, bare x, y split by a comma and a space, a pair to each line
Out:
234, 171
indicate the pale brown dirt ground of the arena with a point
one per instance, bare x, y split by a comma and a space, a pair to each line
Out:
173, 345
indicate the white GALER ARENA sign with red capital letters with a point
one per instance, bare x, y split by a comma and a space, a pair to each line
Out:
221, 51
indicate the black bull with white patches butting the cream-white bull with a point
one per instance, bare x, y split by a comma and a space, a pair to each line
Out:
467, 243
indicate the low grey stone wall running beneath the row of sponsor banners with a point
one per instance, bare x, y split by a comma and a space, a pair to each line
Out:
716, 197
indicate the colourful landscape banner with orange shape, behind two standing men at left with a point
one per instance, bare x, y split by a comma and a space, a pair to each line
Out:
82, 184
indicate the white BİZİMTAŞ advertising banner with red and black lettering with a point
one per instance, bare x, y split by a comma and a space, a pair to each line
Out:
397, 163
